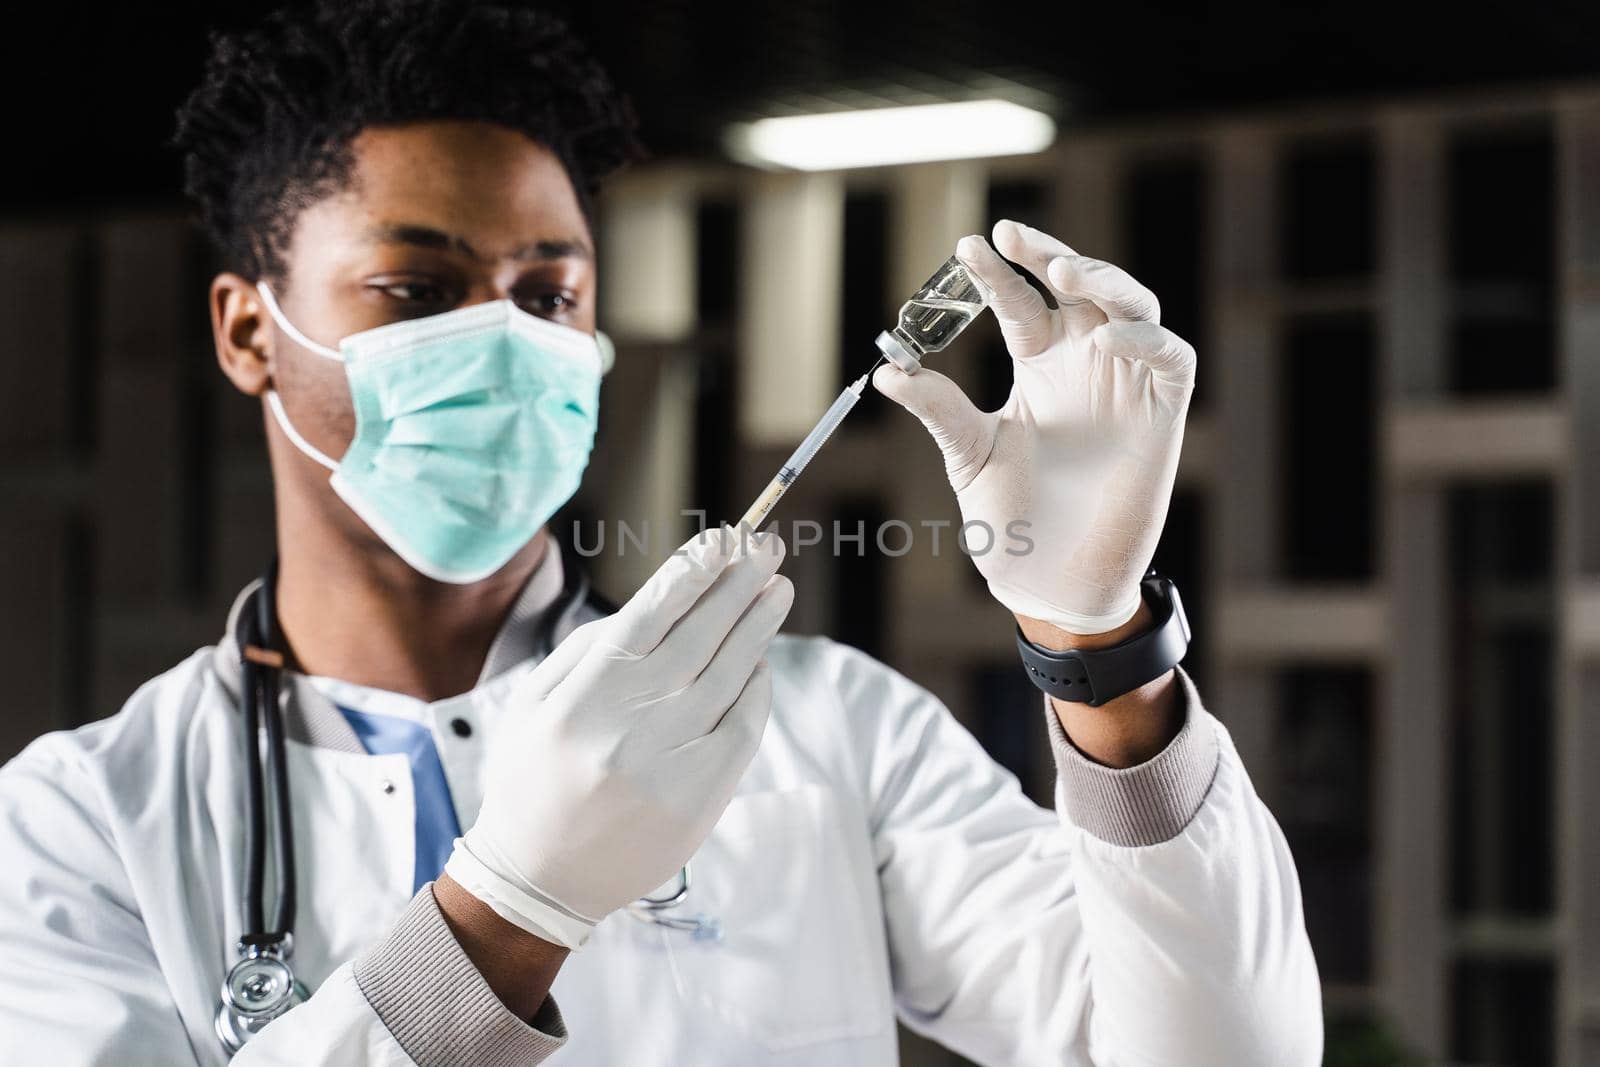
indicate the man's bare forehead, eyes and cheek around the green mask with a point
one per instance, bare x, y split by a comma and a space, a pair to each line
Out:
436, 217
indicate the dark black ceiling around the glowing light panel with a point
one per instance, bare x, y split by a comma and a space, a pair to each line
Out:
92, 95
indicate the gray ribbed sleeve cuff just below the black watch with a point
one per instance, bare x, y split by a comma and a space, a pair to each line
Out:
1148, 804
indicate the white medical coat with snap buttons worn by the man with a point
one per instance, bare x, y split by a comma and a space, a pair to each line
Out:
874, 863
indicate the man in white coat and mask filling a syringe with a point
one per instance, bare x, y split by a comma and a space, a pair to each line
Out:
402, 193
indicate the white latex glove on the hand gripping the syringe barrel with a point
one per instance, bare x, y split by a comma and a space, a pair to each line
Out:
622, 751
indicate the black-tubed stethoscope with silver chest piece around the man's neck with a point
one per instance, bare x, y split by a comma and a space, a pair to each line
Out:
262, 985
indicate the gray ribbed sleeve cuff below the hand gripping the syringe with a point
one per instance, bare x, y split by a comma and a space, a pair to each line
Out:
436, 1004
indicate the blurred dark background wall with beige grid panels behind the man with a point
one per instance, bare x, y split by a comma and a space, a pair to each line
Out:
1388, 519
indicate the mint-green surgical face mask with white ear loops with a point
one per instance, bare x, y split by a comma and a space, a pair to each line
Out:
471, 430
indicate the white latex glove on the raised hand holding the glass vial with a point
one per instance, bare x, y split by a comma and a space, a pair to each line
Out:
1087, 446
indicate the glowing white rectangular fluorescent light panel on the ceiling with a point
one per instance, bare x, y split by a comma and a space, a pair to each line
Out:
894, 135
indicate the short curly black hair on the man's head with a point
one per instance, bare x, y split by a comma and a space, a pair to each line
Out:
268, 132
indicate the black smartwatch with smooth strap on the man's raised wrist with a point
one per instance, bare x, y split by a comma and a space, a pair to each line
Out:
1100, 676
